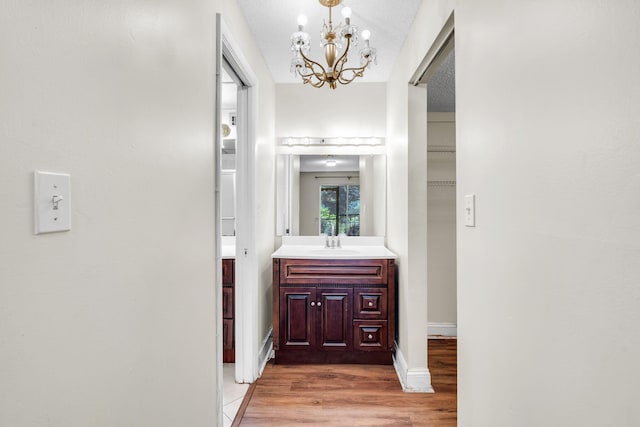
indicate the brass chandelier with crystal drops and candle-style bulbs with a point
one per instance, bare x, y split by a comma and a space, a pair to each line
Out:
333, 38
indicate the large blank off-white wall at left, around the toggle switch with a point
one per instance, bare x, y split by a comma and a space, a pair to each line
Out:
113, 322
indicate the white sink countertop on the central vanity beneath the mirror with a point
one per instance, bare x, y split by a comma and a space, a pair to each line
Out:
313, 247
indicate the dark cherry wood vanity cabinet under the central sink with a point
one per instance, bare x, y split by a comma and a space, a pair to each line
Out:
334, 311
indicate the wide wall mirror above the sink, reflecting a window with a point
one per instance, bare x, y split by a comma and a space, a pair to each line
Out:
331, 194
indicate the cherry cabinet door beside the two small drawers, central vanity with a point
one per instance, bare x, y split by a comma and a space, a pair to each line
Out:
334, 307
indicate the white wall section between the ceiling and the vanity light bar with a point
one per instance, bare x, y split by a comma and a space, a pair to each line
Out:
356, 110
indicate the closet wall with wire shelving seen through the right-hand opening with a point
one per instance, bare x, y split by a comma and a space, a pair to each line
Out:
441, 225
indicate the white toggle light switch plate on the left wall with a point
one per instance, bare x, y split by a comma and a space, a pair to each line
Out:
52, 202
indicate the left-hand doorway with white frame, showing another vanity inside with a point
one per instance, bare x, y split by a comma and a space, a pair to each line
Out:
235, 200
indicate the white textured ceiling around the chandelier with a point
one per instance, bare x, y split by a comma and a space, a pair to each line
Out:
273, 21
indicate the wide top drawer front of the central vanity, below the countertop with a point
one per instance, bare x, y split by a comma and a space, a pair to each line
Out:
332, 271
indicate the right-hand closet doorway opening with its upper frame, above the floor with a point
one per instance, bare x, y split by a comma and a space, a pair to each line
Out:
436, 73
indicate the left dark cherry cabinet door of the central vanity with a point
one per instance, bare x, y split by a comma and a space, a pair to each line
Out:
297, 313
